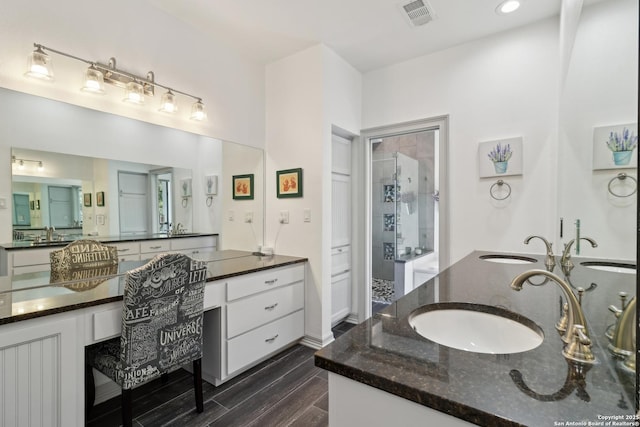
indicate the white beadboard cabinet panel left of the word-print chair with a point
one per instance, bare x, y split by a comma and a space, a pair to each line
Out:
40, 383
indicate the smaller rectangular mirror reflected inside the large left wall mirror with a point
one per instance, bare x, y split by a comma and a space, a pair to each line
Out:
68, 192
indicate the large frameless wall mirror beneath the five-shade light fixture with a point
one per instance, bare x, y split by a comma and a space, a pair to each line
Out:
91, 173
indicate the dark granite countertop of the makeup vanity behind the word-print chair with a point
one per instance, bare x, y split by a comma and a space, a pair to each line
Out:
30, 295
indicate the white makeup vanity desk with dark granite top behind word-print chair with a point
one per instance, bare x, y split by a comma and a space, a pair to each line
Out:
44, 328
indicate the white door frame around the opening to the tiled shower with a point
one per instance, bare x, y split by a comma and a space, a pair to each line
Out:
363, 203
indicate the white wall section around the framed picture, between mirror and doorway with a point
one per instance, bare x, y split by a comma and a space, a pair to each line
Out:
306, 94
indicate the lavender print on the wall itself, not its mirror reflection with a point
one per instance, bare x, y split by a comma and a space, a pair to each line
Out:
501, 157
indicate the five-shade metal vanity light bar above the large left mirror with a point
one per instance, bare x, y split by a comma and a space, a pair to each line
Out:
97, 74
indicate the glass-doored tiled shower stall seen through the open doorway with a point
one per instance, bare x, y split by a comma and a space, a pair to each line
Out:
403, 210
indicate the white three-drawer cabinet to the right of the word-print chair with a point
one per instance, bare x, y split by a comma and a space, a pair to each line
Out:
262, 313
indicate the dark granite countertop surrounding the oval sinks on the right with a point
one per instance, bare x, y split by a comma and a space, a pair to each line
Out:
532, 388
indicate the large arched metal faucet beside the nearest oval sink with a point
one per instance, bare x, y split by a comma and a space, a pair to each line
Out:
574, 334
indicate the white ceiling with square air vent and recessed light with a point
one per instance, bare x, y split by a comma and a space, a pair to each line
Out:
369, 34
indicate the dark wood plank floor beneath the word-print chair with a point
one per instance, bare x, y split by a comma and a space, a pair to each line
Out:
285, 390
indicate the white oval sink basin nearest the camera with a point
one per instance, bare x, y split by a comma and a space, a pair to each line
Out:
476, 328
